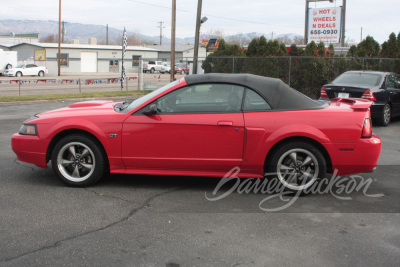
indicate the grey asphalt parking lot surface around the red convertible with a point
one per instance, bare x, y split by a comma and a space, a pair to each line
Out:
168, 221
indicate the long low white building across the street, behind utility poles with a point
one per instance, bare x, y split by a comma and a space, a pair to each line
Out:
84, 58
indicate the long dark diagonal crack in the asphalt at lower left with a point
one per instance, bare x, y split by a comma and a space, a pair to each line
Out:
123, 219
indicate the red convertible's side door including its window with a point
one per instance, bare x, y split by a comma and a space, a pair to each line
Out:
202, 131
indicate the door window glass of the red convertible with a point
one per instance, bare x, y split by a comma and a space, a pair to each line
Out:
202, 98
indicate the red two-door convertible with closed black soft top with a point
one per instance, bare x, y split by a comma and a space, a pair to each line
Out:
205, 125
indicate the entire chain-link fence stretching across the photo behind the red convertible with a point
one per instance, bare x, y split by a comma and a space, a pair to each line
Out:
305, 74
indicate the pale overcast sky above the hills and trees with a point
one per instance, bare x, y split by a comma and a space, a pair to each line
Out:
377, 18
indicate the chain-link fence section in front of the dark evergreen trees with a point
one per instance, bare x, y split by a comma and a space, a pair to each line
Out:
305, 74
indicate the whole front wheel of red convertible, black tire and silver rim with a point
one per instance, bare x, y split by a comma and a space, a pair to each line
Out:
78, 160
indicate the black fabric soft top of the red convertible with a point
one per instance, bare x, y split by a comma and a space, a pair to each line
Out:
278, 94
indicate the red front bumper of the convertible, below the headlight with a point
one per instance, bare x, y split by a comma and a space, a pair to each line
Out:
30, 149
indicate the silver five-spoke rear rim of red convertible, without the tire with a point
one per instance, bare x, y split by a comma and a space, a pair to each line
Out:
297, 169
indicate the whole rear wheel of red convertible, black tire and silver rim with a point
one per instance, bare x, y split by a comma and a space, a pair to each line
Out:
310, 164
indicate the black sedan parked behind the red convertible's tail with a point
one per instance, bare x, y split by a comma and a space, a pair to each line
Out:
383, 88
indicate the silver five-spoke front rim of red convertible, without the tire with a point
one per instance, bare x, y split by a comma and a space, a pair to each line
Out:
76, 161
